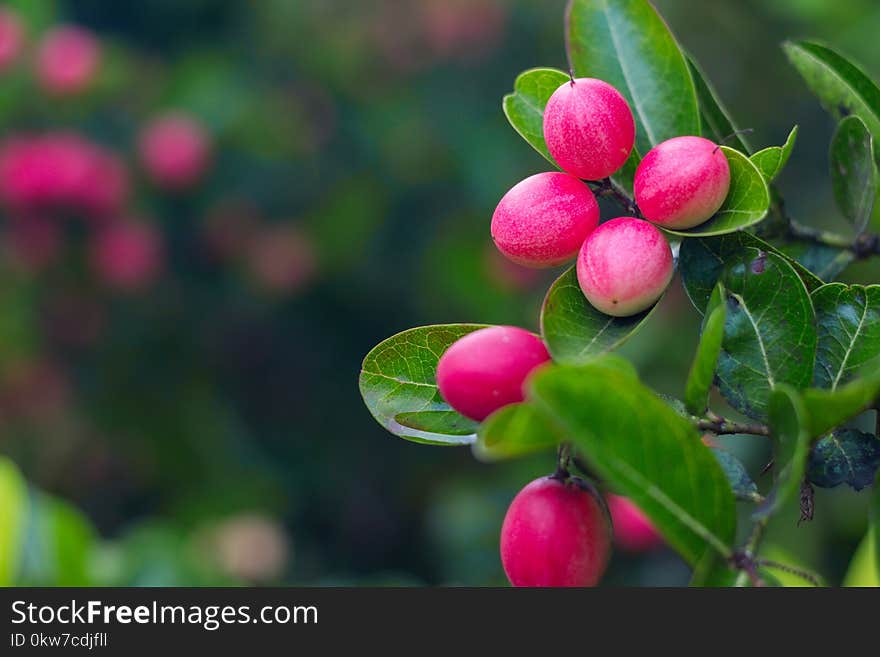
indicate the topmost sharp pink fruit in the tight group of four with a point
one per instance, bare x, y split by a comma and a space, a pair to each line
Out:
589, 128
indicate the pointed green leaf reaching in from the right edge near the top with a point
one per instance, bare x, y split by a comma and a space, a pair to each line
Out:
841, 86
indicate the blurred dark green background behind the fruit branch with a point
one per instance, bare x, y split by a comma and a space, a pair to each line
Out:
206, 427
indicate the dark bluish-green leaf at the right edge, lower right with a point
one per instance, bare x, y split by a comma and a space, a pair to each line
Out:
845, 456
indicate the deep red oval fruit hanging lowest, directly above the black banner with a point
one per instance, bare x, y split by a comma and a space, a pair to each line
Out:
556, 534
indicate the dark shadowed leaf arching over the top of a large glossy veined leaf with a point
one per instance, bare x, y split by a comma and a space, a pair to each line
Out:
701, 262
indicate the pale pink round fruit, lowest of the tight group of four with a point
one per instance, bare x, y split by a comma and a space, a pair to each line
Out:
624, 266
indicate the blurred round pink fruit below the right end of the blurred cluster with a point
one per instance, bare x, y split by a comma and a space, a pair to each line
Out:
127, 255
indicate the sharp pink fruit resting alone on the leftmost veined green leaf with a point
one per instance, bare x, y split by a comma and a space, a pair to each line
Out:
486, 369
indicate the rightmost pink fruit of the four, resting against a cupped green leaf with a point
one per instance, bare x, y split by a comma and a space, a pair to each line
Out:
682, 182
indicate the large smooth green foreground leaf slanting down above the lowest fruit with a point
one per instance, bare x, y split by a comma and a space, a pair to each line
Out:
645, 450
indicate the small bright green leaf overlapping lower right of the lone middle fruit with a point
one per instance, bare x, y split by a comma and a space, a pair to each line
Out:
516, 430
